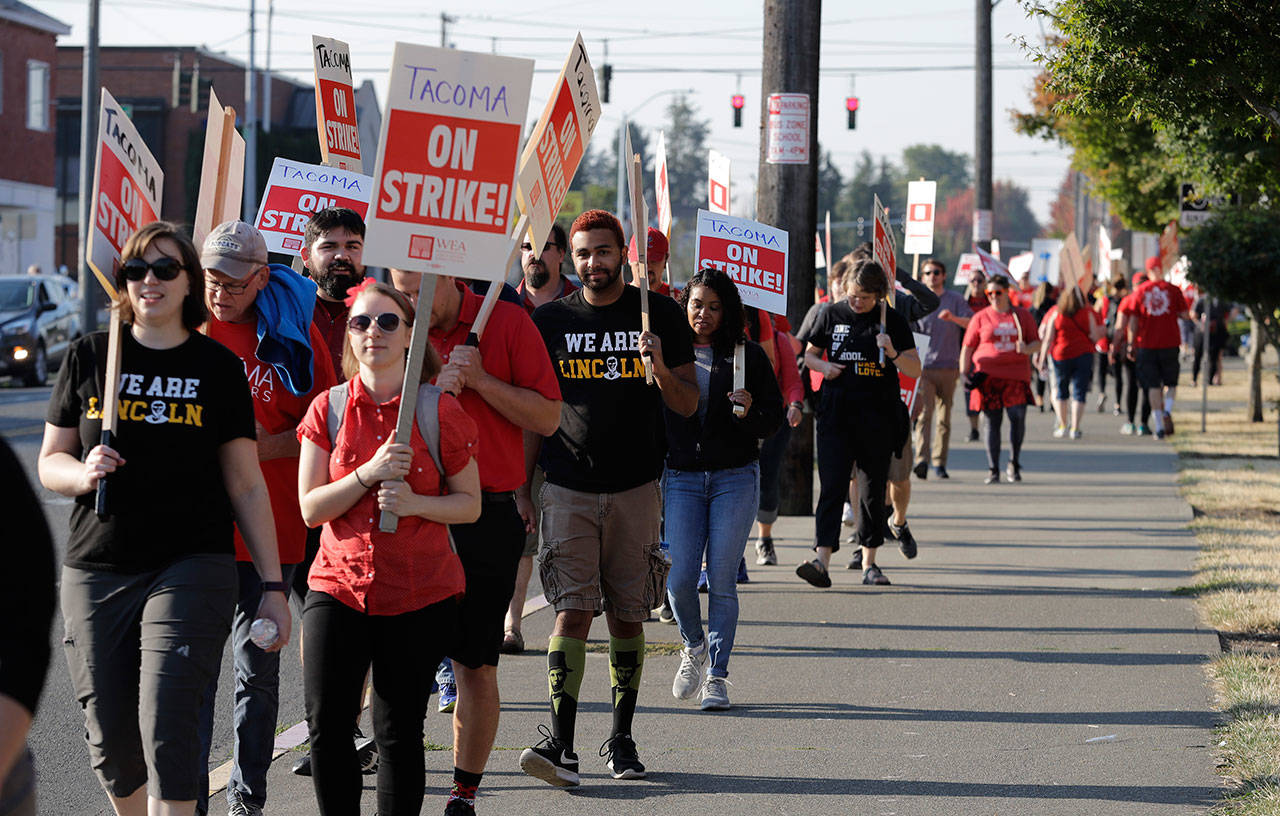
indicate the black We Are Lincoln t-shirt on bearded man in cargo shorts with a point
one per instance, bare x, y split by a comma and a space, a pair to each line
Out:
611, 435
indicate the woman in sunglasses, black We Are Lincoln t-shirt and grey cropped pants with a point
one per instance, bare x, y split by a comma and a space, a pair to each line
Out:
149, 589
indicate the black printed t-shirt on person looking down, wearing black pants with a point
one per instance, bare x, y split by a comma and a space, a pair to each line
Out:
849, 340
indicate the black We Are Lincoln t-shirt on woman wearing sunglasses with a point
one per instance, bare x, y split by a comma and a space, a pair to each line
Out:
177, 409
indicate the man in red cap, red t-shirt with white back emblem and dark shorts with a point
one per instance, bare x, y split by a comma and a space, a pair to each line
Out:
1155, 338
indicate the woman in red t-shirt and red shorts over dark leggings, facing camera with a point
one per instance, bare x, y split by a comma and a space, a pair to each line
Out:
996, 361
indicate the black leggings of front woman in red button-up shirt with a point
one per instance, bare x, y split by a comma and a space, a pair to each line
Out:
341, 645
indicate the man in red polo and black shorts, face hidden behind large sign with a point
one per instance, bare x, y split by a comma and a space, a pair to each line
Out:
508, 386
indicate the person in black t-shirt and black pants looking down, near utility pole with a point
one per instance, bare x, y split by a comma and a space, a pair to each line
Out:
862, 419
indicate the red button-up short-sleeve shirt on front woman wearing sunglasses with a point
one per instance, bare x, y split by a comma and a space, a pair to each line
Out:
360, 566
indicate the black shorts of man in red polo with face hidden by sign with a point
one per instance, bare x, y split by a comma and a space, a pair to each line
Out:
490, 551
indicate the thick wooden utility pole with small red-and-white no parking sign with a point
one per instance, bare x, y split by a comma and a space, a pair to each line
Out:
787, 196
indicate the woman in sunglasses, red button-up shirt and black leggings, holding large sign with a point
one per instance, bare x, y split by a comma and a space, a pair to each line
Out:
377, 599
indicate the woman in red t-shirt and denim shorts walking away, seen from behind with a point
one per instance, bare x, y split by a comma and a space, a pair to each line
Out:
1069, 338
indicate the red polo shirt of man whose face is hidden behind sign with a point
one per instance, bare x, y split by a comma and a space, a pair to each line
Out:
513, 351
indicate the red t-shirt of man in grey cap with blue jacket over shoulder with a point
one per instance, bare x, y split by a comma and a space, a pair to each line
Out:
277, 411
